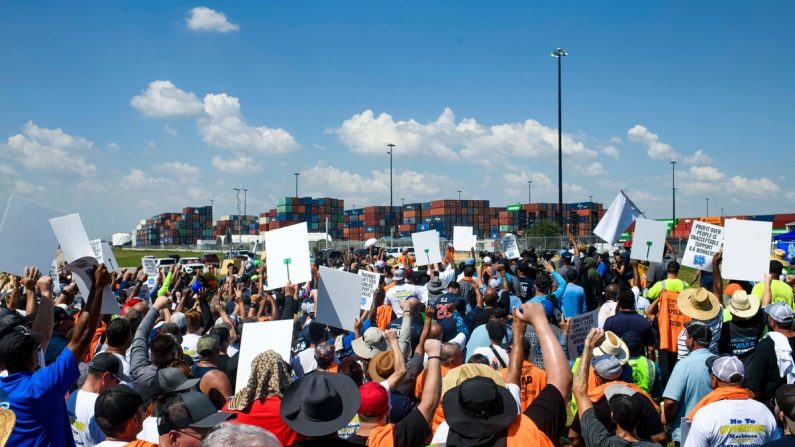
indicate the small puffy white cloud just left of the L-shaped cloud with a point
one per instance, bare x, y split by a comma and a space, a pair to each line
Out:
163, 99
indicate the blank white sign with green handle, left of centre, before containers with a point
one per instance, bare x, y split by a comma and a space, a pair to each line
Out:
288, 256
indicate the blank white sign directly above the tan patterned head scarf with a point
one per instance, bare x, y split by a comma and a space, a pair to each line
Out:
258, 338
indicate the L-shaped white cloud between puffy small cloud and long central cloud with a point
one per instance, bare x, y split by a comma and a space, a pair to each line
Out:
223, 126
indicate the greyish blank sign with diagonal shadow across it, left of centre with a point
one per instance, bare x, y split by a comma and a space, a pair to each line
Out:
338, 298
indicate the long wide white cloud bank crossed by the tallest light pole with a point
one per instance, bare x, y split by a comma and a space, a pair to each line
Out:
449, 138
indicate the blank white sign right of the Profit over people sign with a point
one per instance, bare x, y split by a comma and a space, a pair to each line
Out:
746, 249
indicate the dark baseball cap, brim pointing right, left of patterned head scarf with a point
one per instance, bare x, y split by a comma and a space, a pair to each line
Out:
199, 413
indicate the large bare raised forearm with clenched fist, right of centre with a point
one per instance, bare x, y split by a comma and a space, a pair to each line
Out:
555, 363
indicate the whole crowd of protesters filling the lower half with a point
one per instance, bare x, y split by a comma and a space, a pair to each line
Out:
470, 353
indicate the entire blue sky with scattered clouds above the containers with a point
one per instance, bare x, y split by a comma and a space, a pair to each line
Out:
122, 110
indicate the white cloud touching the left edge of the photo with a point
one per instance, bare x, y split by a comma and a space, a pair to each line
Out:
50, 150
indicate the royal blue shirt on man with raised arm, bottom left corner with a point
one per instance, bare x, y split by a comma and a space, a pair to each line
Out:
37, 399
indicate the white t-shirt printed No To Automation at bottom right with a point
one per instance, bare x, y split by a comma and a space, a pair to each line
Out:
738, 423
